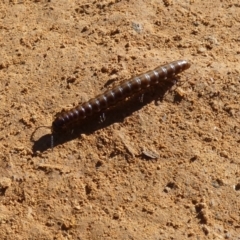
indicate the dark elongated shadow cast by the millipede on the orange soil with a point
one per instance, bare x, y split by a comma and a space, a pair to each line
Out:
115, 114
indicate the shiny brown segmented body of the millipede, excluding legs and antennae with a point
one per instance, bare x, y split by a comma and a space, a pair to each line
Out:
117, 94
